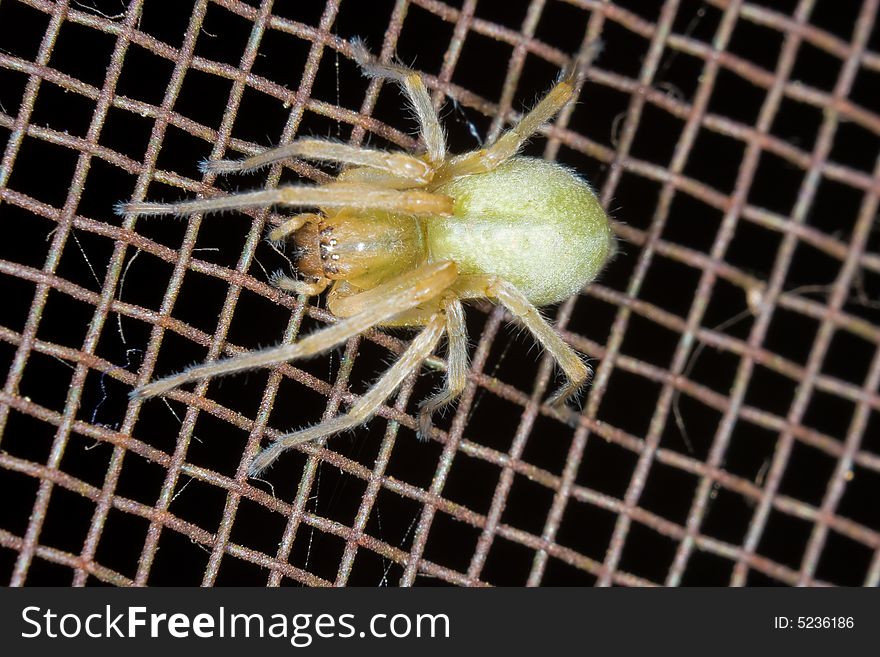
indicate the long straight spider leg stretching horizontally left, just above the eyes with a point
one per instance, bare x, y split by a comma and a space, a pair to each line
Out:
331, 195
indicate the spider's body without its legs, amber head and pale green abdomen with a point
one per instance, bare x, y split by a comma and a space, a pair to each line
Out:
531, 222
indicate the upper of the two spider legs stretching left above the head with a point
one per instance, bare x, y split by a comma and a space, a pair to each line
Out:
401, 165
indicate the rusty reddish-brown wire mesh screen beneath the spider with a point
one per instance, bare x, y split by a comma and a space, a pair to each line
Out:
730, 434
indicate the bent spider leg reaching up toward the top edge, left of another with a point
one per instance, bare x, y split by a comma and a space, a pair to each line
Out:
412, 84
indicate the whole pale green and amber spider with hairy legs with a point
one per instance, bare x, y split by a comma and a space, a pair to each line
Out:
401, 240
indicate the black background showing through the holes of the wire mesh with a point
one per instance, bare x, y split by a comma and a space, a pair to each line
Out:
43, 171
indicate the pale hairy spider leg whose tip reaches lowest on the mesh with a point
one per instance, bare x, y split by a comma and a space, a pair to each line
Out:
420, 348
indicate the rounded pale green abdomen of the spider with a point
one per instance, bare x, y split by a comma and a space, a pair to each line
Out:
531, 222
